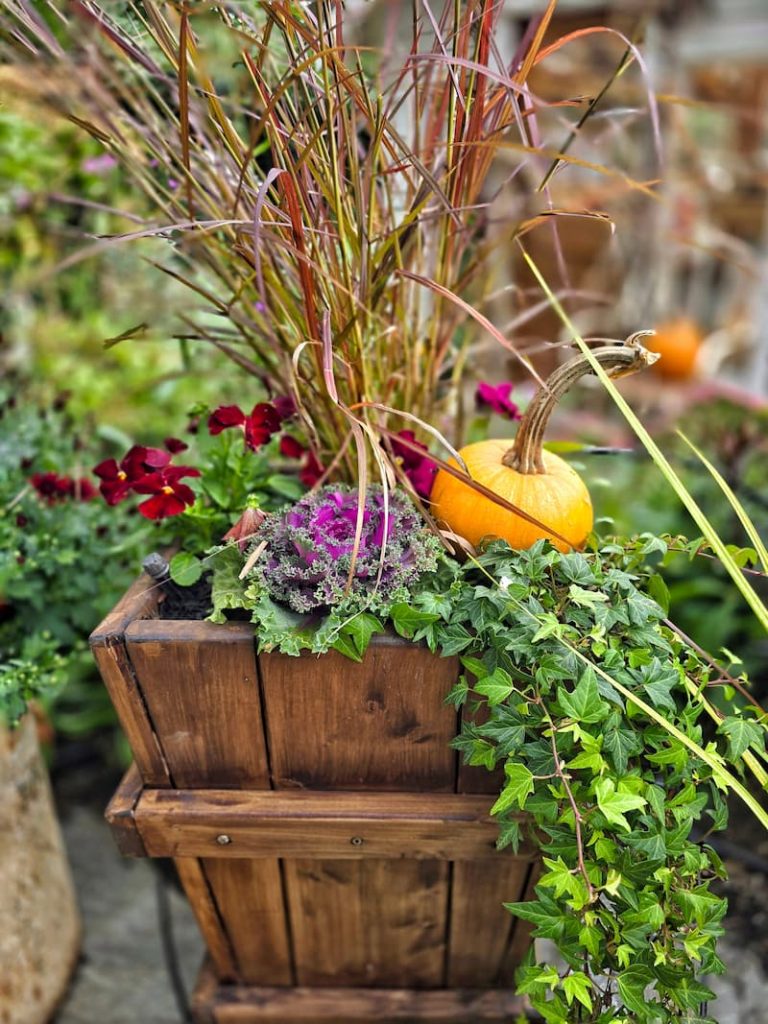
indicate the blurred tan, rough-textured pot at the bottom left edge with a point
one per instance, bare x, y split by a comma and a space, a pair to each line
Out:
39, 921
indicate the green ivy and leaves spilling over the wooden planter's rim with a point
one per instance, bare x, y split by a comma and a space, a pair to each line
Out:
601, 717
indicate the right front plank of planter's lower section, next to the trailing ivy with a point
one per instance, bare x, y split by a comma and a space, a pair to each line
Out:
481, 928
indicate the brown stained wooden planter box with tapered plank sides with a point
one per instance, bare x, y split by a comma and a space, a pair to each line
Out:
339, 860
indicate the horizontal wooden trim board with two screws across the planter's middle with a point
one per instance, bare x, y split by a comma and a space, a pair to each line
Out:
324, 826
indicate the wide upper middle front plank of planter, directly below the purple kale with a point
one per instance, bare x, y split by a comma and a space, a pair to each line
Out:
380, 726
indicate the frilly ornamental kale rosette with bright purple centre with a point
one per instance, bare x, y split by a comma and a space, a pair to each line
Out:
309, 553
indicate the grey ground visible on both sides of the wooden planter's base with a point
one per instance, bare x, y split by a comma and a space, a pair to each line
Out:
122, 978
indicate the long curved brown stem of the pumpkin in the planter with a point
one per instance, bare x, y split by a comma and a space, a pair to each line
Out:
618, 361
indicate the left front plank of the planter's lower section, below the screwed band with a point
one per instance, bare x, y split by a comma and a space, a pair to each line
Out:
249, 898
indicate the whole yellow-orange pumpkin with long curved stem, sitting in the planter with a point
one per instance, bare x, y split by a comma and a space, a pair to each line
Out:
551, 500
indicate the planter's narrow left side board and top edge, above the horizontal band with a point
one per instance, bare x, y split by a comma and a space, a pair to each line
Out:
108, 645
